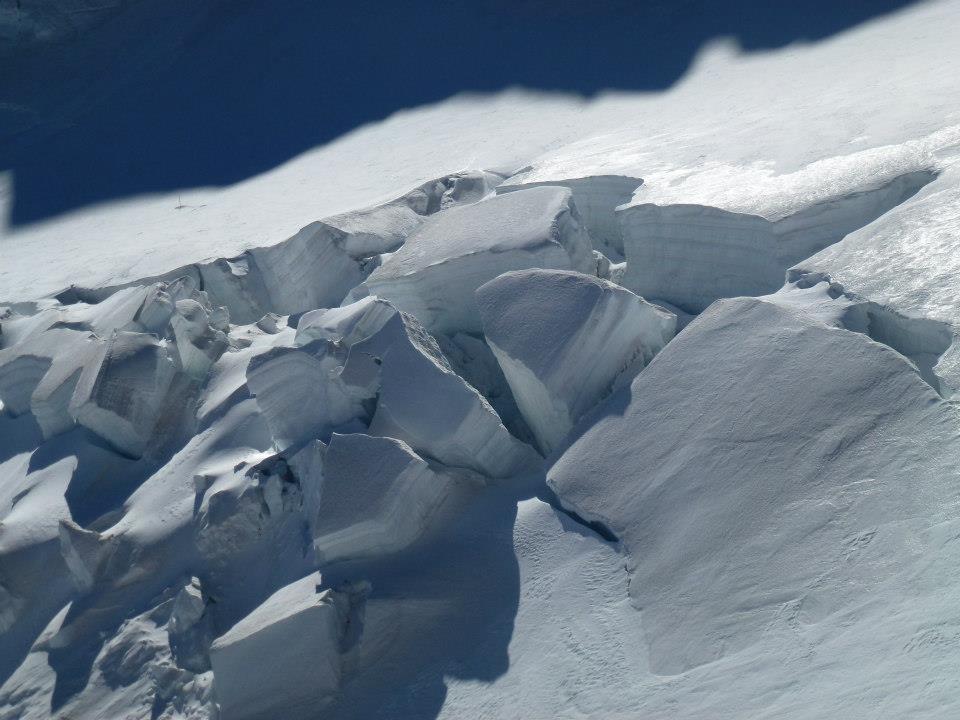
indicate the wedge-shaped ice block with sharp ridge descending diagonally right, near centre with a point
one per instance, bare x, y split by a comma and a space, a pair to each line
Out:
395, 364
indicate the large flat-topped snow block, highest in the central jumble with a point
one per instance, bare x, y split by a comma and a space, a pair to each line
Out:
434, 275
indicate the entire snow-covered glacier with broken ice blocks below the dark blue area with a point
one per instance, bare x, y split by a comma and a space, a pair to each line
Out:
510, 406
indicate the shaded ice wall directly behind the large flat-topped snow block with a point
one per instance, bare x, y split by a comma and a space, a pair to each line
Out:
597, 198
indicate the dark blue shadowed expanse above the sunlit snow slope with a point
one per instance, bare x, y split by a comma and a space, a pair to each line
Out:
181, 93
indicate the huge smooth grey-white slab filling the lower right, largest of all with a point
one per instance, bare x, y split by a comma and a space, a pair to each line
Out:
765, 467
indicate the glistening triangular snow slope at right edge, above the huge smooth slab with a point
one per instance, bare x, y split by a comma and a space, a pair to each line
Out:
907, 264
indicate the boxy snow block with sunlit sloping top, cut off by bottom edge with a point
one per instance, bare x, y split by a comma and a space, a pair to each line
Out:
283, 659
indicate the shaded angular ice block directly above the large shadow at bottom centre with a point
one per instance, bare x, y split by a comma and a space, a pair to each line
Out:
378, 497
